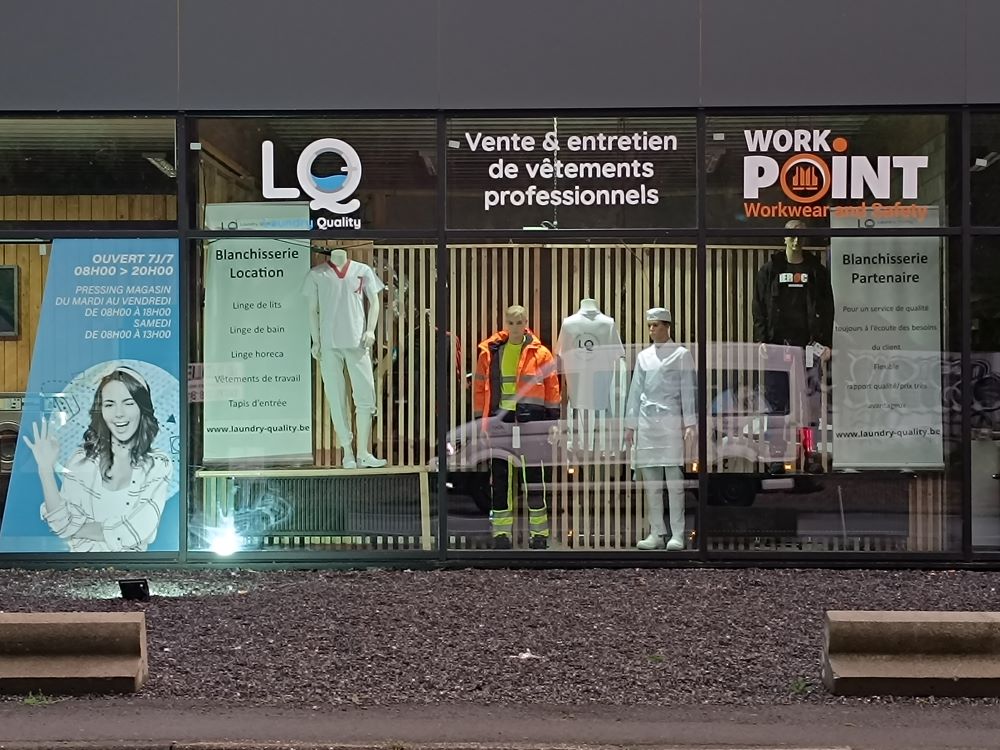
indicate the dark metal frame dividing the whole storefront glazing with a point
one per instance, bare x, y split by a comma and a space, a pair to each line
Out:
188, 236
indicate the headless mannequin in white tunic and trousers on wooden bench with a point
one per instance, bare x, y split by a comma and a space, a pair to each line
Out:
342, 336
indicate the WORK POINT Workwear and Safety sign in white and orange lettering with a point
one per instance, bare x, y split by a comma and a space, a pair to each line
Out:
813, 167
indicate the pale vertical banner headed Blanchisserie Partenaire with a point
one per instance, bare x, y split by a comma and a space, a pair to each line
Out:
887, 340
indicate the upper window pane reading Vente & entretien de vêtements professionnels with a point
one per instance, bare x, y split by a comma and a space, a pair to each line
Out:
571, 172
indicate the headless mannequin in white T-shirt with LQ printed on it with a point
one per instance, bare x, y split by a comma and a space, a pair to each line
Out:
591, 357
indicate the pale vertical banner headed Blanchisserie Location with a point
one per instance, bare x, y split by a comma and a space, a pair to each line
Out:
257, 370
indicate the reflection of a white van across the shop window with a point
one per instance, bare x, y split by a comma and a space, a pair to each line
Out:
759, 436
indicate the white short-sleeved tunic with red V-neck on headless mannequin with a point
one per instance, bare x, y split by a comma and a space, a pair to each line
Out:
340, 295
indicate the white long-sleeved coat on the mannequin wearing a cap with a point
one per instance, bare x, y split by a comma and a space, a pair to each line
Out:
661, 403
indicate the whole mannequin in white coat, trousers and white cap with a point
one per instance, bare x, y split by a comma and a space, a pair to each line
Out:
660, 421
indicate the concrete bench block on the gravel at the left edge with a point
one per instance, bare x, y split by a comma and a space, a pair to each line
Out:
72, 652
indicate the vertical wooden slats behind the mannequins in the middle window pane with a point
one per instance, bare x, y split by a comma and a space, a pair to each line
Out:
593, 507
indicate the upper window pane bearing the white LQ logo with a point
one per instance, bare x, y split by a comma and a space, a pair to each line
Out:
353, 174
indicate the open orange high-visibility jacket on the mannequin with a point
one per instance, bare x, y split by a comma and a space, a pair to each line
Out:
537, 392
